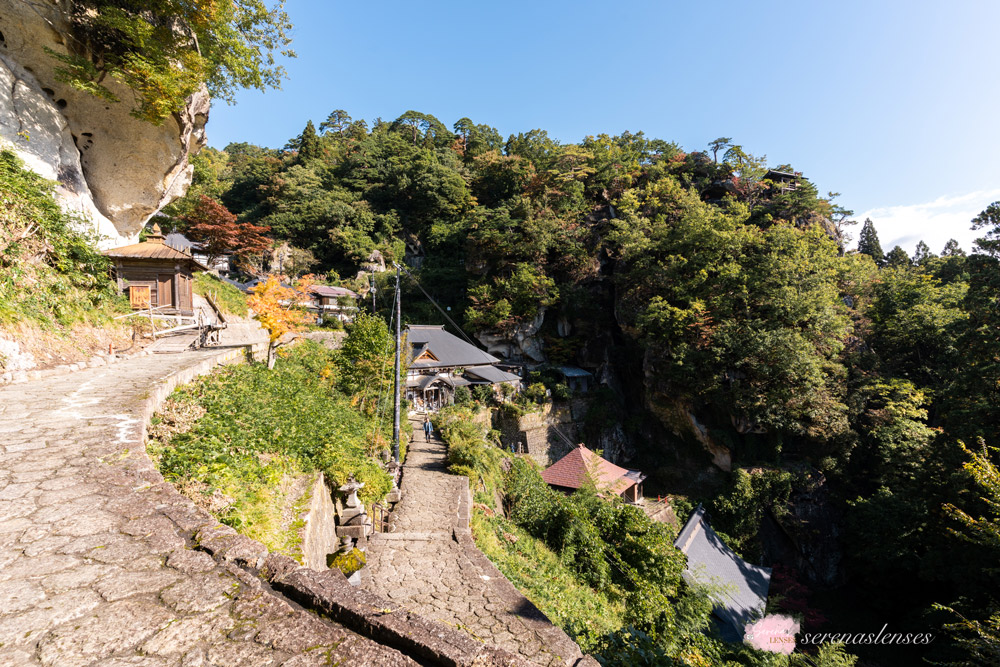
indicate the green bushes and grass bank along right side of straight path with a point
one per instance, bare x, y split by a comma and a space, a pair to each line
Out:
568, 552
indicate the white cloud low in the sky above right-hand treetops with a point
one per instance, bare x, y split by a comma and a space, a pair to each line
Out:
934, 222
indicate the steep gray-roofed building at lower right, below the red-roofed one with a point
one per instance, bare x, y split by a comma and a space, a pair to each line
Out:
739, 588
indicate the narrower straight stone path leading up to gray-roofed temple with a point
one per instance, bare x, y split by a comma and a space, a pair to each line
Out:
422, 566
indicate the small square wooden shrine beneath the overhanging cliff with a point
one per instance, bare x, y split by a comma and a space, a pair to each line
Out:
155, 275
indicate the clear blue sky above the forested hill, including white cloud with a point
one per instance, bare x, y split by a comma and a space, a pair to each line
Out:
892, 104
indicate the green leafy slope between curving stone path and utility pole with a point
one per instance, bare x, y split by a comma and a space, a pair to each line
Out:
250, 432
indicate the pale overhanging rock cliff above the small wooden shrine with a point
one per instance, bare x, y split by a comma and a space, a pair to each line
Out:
110, 167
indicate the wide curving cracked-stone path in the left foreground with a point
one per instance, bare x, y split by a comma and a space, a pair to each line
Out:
92, 569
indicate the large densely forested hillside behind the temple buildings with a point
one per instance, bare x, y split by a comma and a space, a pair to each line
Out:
716, 302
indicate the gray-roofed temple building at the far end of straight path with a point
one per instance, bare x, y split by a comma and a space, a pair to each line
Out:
440, 363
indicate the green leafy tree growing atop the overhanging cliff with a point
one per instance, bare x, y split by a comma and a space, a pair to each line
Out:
164, 49
